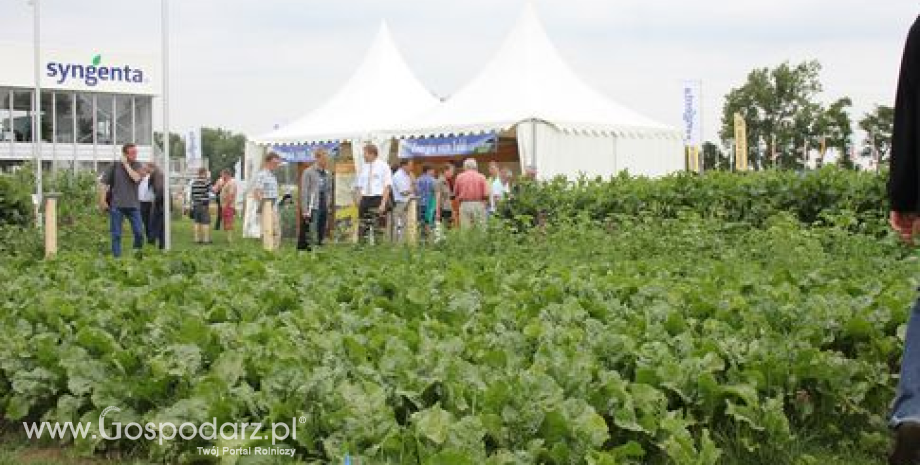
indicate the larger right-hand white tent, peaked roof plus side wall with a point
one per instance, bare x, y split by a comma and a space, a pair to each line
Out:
563, 126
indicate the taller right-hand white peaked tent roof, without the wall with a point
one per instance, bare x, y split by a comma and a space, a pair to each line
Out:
528, 80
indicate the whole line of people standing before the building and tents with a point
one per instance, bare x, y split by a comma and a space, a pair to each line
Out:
382, 193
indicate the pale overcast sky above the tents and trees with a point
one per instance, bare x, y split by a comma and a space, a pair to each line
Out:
249, 64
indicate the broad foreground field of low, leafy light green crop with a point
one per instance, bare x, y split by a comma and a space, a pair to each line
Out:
656, 340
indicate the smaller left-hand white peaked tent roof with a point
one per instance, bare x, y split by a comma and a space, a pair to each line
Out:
382, 92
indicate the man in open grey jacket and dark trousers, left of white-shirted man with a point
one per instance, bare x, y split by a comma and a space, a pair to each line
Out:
315, 198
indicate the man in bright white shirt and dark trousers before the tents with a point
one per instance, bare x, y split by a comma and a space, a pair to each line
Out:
372, 189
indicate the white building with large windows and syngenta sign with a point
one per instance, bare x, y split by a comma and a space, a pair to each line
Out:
92, 102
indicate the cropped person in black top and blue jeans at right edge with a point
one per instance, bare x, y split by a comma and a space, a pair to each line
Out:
904, 194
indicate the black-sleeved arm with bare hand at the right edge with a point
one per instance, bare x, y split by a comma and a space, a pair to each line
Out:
903, 189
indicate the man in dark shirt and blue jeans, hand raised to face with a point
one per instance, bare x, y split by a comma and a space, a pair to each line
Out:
118, 197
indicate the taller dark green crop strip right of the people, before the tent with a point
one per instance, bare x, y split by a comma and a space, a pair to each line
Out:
813, 197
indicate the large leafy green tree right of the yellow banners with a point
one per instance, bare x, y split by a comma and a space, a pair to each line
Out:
780, 106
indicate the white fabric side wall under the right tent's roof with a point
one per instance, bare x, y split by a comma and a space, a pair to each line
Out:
573, 154
